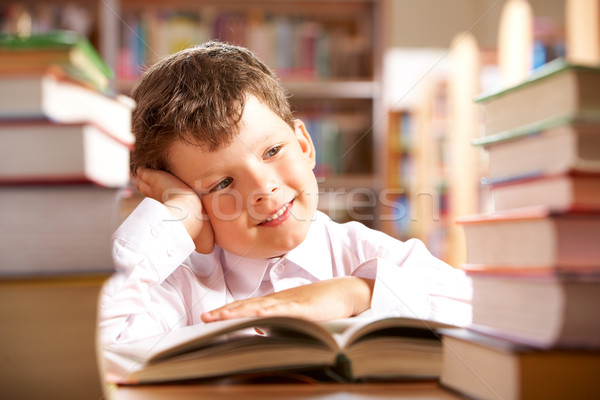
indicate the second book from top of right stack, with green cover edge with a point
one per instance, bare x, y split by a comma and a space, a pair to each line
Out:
563, 145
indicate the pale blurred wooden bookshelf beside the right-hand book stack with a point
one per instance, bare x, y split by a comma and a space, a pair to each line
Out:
435, 165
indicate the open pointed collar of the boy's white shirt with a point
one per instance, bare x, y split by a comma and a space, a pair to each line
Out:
243, 276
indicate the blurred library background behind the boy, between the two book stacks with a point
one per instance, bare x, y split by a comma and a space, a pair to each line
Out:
386, 87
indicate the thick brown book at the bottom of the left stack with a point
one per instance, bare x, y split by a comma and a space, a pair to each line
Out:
48, 336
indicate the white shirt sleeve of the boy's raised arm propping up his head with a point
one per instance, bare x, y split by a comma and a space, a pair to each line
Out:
147, 248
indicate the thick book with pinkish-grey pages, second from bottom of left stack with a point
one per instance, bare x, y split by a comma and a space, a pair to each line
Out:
57, 229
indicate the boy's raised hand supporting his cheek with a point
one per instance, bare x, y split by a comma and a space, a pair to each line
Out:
181, 200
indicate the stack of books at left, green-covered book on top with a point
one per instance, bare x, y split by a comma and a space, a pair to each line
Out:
64, 155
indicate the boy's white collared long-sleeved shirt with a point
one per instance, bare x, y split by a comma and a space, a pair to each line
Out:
162, 283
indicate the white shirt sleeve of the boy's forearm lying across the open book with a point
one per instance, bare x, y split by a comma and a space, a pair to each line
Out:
411, 282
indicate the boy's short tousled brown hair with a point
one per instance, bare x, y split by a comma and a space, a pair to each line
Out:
198, 95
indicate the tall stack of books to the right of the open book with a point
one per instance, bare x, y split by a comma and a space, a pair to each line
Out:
535, 259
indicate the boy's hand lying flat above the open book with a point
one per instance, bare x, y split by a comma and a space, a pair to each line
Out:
319, 301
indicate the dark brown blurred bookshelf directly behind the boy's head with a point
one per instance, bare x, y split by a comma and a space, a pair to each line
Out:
325, 52
